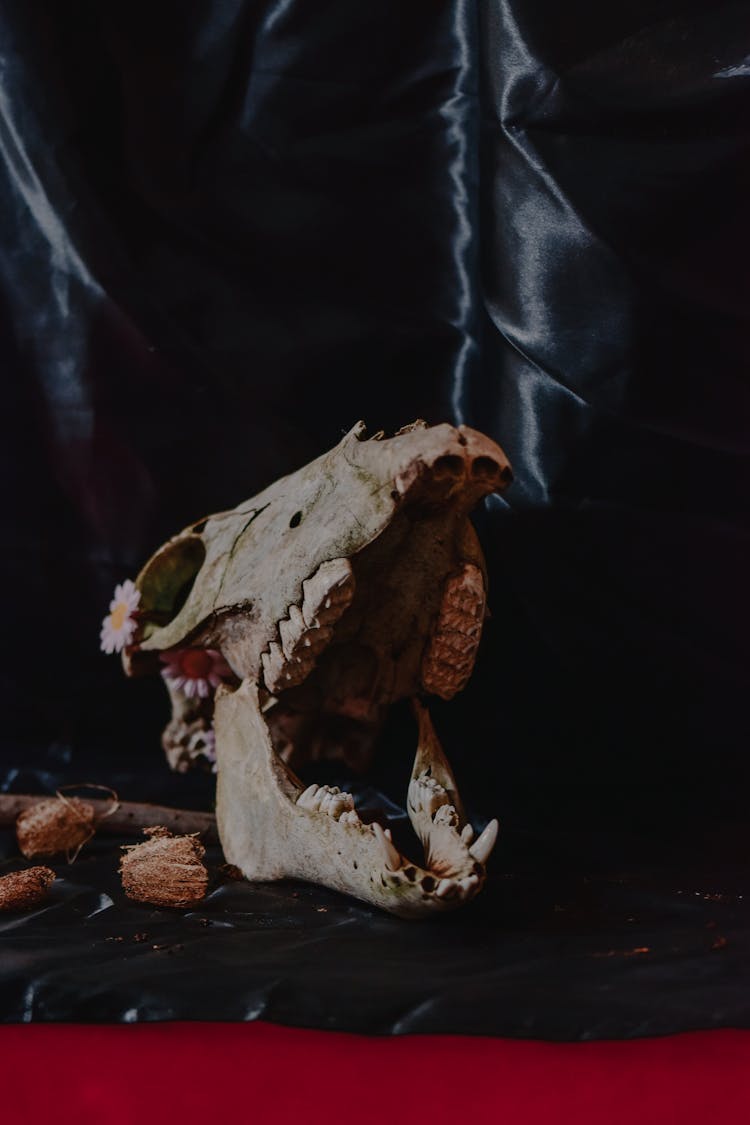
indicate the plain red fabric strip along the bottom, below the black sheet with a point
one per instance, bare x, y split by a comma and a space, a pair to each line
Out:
179, 1074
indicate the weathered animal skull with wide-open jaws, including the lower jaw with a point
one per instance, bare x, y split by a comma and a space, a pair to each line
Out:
339, 591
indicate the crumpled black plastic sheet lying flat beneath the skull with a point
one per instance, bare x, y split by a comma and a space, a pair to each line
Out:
550, 950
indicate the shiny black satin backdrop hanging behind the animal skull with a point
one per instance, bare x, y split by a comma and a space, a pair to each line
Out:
230, 230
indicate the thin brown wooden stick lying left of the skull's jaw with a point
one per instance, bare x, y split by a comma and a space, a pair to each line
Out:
129, 820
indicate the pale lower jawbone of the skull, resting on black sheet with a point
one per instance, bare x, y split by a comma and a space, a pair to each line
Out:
269, 836
